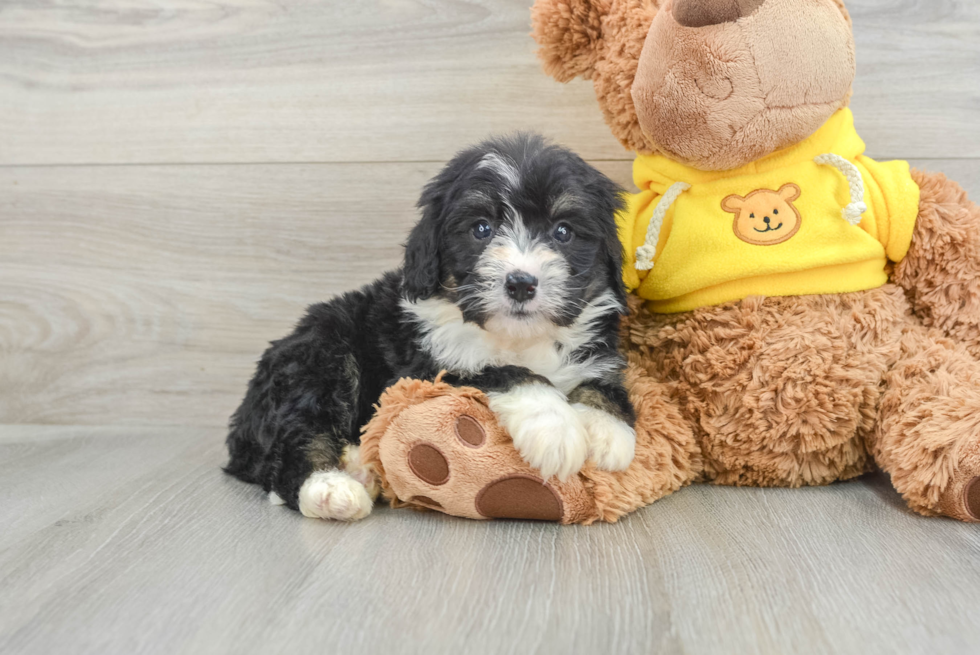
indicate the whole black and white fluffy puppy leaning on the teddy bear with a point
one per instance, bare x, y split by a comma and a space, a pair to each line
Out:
511, 283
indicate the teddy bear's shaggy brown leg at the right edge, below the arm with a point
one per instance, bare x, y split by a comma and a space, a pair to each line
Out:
928, 433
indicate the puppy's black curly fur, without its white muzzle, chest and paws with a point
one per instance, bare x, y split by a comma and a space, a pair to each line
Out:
314, 389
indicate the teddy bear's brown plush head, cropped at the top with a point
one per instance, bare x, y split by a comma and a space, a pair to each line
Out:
714, 84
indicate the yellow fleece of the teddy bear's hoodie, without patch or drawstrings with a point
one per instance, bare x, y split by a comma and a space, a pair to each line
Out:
701, 260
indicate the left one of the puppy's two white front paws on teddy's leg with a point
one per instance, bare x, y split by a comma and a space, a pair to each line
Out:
546, 430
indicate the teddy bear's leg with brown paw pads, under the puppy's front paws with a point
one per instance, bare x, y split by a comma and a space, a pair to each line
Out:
441, 447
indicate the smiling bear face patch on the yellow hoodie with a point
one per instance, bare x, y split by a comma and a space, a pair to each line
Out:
764, 217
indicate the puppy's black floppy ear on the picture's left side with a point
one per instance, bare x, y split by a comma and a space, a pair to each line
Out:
421, 272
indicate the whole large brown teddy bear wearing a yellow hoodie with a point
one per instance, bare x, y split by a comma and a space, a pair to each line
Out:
801, 312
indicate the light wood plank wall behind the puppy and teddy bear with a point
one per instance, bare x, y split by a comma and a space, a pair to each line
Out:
178, 180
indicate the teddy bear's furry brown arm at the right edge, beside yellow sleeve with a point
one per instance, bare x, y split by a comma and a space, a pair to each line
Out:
941, 273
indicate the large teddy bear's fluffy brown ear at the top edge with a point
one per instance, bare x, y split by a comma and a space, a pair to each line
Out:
569, 33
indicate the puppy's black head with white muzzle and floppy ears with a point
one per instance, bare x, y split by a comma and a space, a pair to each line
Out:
518, 234
